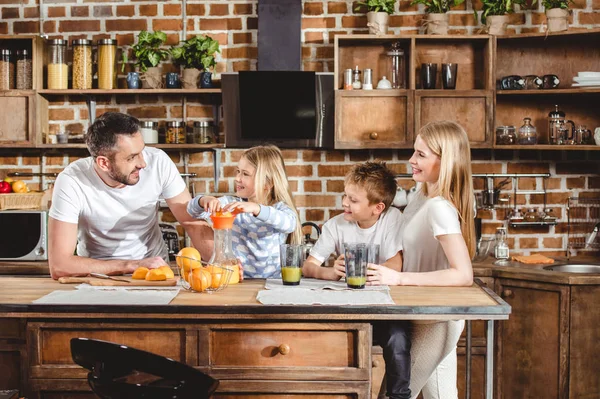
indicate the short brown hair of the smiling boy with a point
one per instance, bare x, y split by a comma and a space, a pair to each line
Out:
377, 179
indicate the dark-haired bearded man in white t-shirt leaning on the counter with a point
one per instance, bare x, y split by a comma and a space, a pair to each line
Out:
107, 204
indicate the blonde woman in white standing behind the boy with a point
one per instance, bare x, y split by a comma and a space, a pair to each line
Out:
438, 244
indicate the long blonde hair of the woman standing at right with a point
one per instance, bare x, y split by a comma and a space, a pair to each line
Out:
449, 141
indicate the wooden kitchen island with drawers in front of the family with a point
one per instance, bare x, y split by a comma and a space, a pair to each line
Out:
254, 350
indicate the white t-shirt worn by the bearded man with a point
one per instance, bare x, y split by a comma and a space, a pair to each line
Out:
116, 223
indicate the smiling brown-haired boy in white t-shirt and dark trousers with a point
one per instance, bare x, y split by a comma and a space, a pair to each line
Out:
369, 189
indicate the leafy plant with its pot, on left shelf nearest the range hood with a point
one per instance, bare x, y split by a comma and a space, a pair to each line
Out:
196, 54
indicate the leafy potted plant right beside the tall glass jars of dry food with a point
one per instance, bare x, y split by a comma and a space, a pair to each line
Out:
148, 55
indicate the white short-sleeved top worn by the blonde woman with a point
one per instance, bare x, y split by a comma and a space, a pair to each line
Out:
424, 220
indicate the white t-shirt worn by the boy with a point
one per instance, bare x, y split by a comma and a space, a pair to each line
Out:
337, 231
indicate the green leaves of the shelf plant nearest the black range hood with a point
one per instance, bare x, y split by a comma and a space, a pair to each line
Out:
196, 52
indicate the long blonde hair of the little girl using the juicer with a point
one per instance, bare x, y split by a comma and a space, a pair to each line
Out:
271, 182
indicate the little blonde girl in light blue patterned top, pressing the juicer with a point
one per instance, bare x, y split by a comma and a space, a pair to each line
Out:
266, 212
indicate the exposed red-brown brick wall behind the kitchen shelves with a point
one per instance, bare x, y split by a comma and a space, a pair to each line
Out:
316, 176
